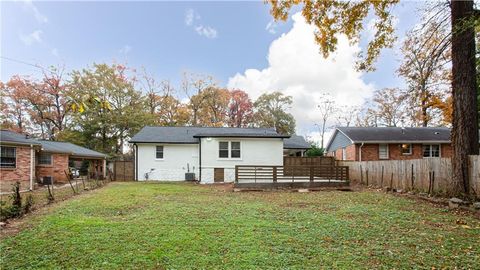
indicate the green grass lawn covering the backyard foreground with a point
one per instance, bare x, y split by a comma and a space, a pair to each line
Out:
156, 225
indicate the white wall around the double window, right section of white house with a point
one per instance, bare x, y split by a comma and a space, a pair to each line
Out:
254, 151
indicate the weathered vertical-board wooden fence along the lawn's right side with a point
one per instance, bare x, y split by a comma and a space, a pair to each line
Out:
429, 175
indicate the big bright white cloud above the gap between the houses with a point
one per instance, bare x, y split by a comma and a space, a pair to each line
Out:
296, 68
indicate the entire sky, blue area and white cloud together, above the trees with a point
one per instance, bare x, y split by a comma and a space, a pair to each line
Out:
229, 40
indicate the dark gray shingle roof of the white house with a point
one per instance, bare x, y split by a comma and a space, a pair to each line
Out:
191, 134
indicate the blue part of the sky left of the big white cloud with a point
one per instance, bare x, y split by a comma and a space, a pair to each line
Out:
154, 33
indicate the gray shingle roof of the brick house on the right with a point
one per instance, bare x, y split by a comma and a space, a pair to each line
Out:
396, 134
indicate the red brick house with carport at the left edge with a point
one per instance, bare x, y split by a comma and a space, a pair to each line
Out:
30, 160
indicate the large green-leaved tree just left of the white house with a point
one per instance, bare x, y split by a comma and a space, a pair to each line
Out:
114, 110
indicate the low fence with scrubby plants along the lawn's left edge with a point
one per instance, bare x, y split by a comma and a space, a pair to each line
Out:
18, 203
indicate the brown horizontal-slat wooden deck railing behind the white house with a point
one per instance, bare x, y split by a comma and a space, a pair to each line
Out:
266, 174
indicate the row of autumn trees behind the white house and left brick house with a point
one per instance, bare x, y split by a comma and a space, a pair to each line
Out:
103, 105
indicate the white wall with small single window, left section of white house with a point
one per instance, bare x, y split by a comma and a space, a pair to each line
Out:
172, 167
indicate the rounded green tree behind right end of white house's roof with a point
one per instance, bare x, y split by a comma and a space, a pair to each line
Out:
271, 111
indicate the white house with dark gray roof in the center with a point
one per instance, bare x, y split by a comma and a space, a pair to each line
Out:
176, 153
